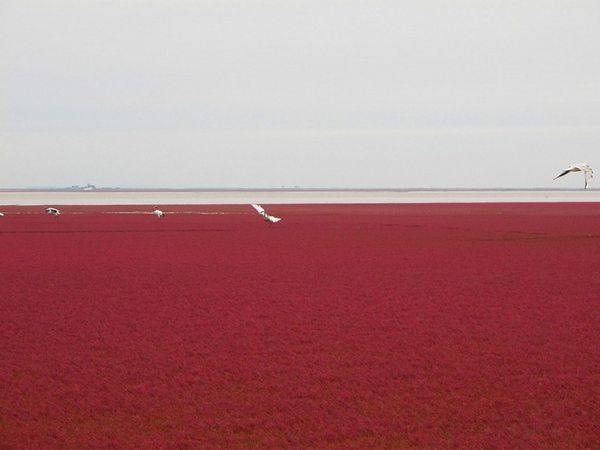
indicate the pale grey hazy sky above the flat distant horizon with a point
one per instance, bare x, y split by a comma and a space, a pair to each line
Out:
259, 93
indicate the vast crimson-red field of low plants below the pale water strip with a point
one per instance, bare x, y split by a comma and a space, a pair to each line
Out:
396, 326
